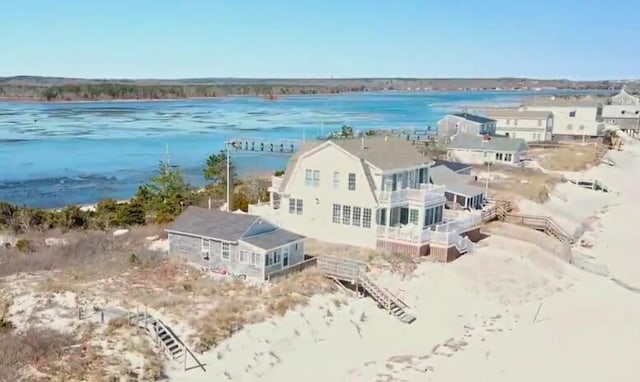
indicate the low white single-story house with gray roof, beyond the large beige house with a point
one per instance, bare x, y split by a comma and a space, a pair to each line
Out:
478, 149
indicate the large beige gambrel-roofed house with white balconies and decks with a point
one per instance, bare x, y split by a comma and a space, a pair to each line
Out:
370, 192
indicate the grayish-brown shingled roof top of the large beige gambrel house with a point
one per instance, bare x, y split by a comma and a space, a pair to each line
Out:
385, 153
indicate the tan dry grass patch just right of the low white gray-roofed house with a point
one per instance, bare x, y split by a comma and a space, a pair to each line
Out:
569, 157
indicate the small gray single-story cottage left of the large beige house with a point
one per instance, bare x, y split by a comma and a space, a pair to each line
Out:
241, 244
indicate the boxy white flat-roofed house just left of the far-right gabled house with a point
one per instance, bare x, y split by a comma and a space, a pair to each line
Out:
573, 118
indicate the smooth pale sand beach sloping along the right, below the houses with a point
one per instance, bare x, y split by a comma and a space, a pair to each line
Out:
511, 311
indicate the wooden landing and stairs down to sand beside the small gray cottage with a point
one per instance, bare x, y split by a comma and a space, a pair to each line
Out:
354, 273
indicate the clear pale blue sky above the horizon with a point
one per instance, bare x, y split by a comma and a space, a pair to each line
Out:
576, 39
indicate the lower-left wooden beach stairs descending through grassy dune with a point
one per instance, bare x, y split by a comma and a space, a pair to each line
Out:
162, 335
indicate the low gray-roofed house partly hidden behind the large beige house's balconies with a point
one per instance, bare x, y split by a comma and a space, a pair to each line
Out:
461, 191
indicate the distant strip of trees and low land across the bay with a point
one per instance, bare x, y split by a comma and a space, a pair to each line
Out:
70, 89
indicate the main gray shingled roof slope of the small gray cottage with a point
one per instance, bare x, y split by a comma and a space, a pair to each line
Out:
213, 223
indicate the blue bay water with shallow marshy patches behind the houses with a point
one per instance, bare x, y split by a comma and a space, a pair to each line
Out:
56, 154
